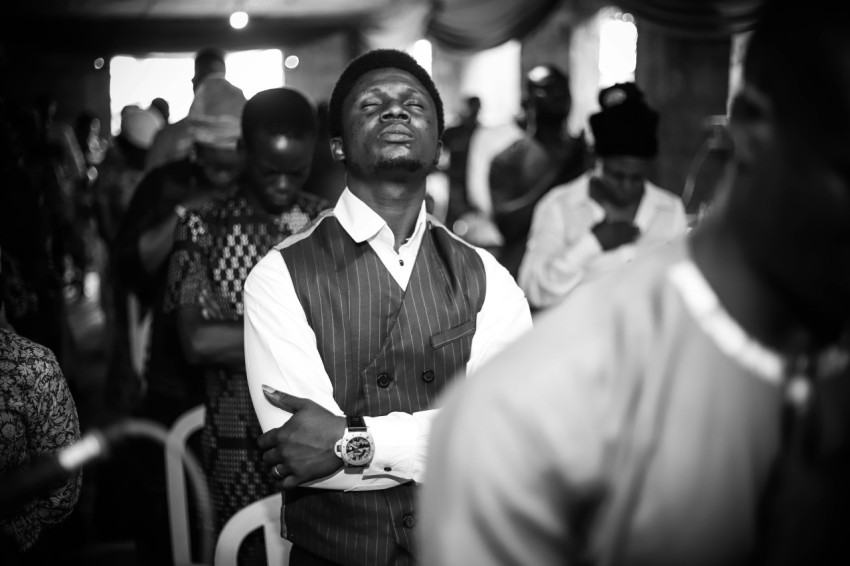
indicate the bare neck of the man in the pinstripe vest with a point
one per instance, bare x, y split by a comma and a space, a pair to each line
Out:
397, 202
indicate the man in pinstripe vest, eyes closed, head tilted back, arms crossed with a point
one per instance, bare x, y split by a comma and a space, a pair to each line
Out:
355, 325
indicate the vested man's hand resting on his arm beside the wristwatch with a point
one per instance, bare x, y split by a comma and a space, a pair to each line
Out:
303, 448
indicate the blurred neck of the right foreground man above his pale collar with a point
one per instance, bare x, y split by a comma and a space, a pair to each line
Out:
749, 299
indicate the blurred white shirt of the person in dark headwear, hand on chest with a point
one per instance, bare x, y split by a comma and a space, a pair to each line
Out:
562, 250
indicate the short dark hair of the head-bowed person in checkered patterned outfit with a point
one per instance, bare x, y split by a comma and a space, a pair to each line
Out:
279, 111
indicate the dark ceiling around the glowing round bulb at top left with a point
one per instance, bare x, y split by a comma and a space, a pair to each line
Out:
175, 25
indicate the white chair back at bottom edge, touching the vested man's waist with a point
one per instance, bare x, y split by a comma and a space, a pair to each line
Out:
263, 513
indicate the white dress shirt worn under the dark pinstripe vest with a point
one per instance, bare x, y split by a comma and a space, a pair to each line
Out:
281, 350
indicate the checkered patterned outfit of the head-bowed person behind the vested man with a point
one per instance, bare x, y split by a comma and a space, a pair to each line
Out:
214, 250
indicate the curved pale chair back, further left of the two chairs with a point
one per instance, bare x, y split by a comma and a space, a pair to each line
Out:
178, 503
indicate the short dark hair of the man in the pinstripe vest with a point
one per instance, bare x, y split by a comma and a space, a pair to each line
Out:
371, 61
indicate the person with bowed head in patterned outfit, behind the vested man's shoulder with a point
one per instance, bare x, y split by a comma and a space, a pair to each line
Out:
215, 247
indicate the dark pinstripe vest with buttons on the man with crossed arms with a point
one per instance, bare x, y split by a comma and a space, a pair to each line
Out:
385, 350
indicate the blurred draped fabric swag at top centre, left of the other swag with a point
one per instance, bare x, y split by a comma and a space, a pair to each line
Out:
475, 25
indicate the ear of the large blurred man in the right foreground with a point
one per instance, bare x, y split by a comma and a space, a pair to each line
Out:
751, 123
